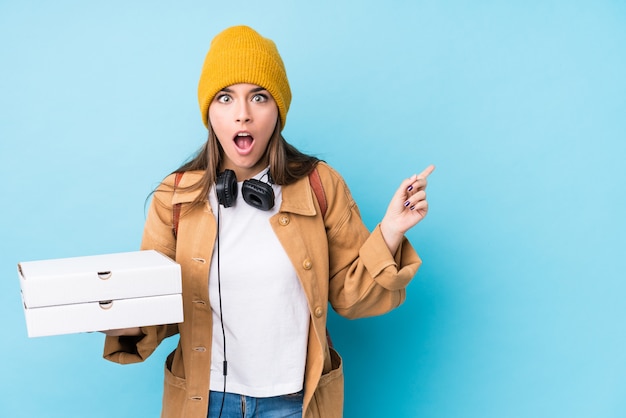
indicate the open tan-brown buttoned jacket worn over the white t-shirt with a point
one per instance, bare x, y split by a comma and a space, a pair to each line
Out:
336, 259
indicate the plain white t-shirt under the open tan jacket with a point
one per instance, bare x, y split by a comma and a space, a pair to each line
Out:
265, 312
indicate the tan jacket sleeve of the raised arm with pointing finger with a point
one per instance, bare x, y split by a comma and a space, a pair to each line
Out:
365, 278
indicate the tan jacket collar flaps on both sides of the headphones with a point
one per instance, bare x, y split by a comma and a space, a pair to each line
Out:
297, 197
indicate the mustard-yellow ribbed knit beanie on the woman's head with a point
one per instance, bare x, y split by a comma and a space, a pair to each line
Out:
240, 55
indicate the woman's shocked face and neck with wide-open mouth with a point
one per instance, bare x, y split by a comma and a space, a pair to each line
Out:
243, 117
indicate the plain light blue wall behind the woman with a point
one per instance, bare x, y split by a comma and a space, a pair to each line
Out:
518, 310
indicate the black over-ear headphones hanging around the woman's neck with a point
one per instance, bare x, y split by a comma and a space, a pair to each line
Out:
255, 192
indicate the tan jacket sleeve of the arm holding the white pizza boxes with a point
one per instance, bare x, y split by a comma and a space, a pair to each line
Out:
158, 236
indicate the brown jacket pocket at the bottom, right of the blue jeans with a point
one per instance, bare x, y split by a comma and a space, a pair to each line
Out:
327, 400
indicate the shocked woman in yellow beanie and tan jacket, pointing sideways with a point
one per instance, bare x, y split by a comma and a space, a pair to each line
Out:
262, 258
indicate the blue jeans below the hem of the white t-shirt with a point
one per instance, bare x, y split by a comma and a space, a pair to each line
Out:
240, 406
